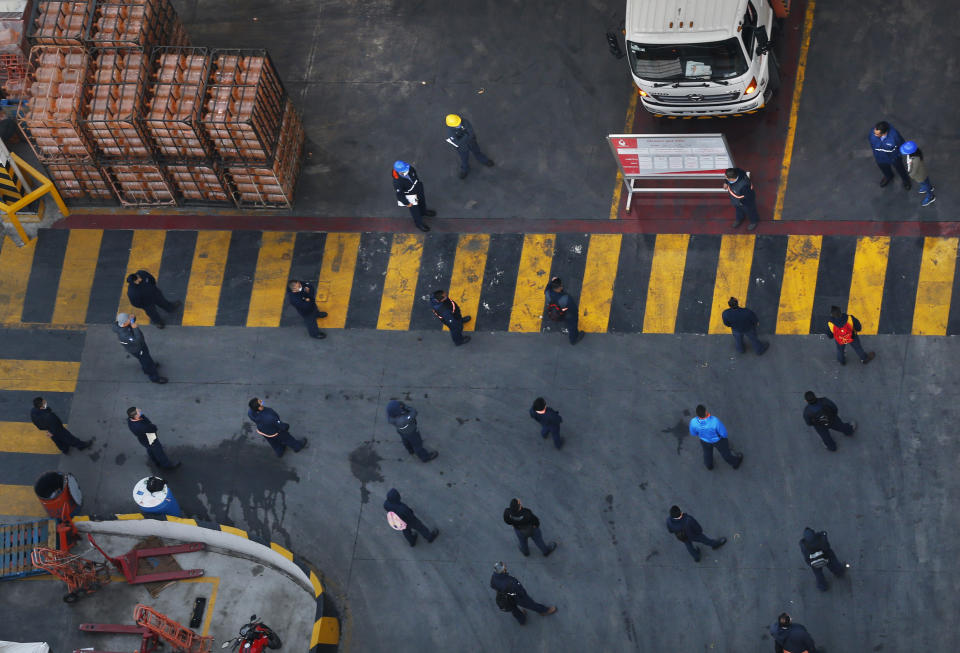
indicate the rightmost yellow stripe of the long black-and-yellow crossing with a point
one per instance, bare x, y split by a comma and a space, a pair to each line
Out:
935, 287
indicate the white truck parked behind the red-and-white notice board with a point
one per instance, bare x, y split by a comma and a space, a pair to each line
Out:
701, 58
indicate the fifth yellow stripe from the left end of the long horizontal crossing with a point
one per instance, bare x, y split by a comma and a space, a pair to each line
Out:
270, 278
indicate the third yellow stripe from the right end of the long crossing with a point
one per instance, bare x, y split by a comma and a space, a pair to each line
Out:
799, 284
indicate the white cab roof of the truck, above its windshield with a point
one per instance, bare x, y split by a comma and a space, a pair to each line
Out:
683, 21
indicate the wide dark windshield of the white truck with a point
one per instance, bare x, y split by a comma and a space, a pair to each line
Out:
689, 61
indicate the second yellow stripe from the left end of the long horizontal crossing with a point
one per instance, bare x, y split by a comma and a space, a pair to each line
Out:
76, 276
